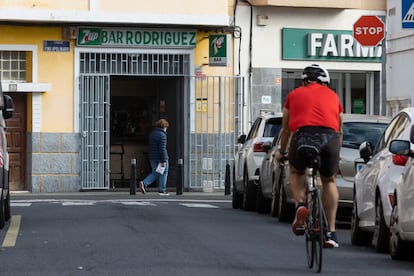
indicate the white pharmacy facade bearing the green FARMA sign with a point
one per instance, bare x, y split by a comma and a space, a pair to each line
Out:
279, 41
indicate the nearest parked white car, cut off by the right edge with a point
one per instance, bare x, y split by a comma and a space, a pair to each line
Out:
402, 219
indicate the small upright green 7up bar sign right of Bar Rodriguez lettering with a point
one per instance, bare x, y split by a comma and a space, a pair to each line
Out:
219, 50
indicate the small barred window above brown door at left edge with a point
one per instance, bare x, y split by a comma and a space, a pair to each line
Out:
13, 66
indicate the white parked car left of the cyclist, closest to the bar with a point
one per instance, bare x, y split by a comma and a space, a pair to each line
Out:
248, 159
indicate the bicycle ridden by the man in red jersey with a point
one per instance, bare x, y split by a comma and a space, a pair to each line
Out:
316, 223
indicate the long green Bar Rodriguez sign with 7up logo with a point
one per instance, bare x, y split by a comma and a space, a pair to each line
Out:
136, 38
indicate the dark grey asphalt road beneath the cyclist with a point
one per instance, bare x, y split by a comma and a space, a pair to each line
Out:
119, 234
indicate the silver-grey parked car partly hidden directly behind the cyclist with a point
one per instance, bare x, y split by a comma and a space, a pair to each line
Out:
274, 188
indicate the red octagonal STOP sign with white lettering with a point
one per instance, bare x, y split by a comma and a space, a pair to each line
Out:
369, 30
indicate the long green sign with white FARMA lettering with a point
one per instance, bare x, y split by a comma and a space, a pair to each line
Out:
328, 45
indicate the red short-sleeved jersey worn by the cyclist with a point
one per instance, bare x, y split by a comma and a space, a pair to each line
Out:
313, 105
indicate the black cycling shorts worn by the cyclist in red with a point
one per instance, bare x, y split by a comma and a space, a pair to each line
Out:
325, 139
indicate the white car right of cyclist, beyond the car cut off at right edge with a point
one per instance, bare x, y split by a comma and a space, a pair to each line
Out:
374, 184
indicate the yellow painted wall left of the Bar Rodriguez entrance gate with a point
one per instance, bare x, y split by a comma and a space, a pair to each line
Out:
55, 68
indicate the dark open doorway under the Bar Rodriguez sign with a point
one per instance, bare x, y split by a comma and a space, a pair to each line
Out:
136, 103
